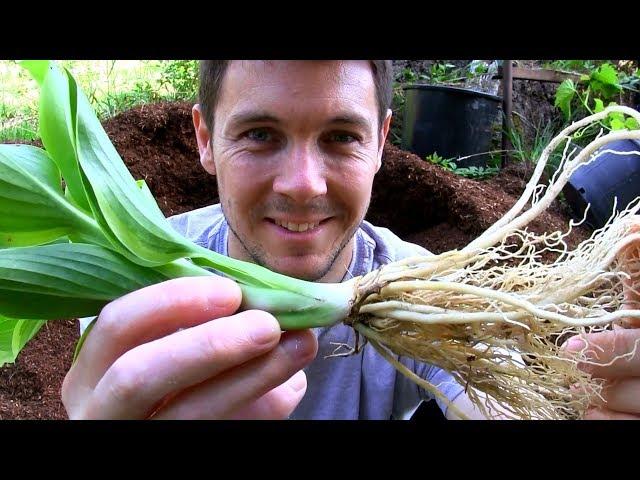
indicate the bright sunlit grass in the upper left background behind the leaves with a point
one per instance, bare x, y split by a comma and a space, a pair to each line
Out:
112, 86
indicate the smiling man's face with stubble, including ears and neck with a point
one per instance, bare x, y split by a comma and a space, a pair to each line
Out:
295, 147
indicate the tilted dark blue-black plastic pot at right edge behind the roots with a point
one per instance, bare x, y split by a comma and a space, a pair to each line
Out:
600, 181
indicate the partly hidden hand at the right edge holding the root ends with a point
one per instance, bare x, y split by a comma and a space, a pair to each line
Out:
622, 376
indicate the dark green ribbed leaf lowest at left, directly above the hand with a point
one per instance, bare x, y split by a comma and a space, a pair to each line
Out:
66, 280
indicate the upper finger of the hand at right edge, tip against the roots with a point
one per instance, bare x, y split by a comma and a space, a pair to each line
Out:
610, 354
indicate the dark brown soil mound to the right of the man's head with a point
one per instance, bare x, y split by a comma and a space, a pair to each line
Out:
432, 207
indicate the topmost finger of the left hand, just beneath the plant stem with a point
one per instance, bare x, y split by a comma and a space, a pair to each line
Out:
152, 313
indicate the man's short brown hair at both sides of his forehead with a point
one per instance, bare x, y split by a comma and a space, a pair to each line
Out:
212, 72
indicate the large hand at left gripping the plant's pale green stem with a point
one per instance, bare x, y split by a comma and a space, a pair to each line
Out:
178, 350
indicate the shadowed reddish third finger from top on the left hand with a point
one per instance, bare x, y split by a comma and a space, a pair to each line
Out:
229, 392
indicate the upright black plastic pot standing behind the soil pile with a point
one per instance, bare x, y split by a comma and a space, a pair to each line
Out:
452, 122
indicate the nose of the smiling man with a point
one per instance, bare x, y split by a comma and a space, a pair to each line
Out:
301, 175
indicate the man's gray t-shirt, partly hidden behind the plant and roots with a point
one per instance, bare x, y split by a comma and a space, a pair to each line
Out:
361, 386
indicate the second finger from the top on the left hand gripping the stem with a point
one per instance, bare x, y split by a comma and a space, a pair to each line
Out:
134, 385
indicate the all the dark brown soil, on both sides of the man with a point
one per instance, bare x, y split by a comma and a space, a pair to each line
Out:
419, 201
